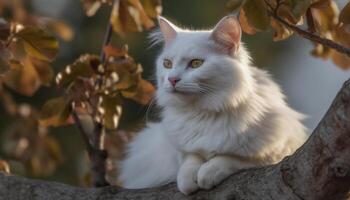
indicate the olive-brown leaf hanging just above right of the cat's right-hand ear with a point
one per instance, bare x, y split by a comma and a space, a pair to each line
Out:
256, 13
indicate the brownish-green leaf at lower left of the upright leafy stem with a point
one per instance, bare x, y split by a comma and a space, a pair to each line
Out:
55, 112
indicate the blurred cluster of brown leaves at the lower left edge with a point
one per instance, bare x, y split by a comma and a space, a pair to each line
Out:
30, 143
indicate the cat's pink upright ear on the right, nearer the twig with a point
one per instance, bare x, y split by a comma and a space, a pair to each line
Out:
227, 34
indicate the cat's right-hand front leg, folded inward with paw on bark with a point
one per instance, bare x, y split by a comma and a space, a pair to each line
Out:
218, 168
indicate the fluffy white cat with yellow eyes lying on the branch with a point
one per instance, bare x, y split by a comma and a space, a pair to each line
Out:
220, 114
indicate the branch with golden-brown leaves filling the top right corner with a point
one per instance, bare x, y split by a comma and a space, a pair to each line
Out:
327, 24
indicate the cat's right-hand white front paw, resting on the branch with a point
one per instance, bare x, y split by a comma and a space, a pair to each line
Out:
209, 175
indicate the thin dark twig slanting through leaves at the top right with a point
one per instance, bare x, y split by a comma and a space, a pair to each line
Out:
308, 35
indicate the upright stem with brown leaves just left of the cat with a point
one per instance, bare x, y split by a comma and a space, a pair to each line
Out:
96, 86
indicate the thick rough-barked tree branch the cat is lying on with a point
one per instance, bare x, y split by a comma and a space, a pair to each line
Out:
319, 170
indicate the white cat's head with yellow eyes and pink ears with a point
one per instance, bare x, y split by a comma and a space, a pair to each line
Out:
202, 69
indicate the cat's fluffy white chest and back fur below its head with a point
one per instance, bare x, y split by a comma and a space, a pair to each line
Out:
262, 128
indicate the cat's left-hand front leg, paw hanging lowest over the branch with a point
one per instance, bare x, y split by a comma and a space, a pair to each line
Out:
187, 174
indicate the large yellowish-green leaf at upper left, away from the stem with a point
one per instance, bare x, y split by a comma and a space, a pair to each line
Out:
37, 43
